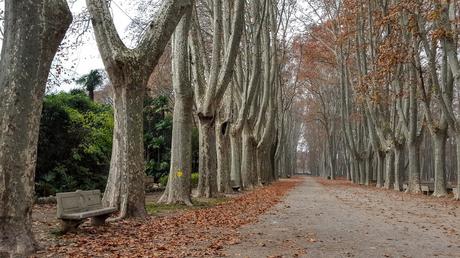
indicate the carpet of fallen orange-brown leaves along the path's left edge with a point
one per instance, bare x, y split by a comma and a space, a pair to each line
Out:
203, 232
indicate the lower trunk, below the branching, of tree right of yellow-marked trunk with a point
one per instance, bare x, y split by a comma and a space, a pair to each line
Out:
207, 182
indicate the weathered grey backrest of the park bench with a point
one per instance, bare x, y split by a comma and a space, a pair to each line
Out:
79, 201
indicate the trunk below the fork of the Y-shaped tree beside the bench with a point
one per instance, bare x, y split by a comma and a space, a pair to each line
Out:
125, 184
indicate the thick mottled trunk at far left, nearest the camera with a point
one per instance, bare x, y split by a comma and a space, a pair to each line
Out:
33, 32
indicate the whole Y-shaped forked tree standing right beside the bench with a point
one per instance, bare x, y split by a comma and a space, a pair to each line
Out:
129, 71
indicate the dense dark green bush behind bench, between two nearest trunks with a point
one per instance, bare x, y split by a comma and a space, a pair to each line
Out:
74, 145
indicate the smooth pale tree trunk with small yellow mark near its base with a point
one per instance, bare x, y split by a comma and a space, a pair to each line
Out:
178, 189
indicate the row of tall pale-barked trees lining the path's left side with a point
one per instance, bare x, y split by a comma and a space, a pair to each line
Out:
229, 72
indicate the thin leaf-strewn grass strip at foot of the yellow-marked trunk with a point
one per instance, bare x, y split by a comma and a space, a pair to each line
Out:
198, 203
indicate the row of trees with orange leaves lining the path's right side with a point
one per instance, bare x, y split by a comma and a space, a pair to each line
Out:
383, 90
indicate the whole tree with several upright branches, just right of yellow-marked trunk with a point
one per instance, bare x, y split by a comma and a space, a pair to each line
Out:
211, 80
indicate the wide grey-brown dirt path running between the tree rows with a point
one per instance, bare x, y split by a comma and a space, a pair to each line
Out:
343, 220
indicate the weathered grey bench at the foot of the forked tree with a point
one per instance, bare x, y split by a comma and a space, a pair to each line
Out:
74, 207
